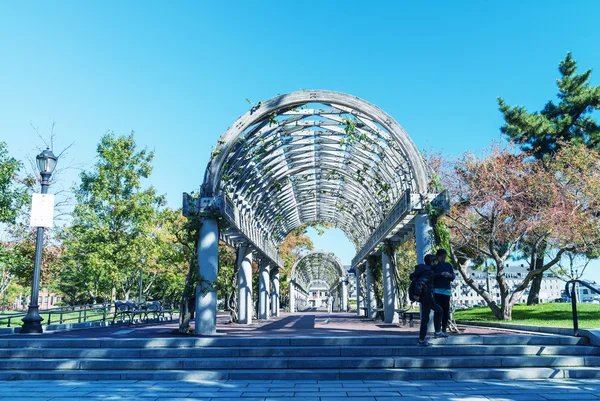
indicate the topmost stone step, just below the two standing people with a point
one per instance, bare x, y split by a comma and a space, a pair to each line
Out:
233, 342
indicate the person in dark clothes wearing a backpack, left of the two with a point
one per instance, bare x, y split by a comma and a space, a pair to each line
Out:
421, 291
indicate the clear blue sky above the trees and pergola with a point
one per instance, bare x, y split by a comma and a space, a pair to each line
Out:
178, 73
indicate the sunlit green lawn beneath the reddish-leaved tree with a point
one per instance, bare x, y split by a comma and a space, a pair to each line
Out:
551, 314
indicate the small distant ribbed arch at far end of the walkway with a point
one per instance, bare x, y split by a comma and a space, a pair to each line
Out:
315, 266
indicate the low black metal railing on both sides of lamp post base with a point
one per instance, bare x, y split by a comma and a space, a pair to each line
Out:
62, 314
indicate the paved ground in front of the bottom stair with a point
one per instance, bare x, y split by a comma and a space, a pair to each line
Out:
479, 390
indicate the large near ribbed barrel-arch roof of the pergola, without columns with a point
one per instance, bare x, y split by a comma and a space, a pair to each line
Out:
315, 156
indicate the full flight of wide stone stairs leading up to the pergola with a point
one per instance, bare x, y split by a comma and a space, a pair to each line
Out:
299, 358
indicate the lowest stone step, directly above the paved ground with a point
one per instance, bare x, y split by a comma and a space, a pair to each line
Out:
312, 374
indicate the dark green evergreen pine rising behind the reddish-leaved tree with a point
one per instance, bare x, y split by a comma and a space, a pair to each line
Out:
543, 133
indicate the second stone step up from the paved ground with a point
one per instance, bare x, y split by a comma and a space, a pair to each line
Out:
328, 363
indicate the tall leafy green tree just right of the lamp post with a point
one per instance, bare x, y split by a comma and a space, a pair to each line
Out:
112, 234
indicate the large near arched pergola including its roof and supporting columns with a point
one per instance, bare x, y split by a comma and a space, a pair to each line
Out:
300, 158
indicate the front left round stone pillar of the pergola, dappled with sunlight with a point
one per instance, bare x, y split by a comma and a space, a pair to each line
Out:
208, 267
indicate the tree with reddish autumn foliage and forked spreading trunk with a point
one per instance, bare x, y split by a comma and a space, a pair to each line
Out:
504, 200
